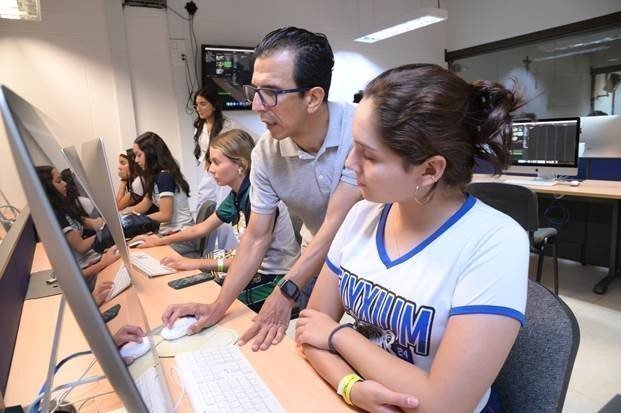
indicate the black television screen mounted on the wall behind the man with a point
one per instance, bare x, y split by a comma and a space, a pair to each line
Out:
228, 68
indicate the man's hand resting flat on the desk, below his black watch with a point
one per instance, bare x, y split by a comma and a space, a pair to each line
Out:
271, 323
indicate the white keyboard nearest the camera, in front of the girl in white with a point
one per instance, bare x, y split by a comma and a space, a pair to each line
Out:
222, 380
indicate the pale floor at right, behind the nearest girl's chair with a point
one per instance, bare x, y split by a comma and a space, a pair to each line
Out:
596, 376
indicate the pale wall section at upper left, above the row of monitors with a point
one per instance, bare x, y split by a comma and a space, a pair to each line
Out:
61, 65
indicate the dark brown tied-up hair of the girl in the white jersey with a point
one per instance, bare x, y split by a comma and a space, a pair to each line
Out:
424, 110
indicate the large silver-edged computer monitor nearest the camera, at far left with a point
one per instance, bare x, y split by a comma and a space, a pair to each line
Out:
79, 285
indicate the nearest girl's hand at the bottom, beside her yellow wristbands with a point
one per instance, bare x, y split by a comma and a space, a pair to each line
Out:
372, 396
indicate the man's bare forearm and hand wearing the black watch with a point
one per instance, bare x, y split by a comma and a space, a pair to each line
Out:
272, 321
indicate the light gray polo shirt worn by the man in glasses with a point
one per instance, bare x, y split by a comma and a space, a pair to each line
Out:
304, 182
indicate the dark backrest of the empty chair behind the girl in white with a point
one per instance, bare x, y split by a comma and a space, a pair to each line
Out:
519, 202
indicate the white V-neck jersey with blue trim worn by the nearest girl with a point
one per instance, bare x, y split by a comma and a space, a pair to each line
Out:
475, 263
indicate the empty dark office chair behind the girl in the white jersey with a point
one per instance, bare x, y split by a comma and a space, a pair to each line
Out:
520, 203
